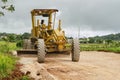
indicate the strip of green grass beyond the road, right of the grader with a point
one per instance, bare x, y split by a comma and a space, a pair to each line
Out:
100, 47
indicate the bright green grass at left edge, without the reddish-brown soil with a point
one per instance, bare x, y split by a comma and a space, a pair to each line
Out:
7, 62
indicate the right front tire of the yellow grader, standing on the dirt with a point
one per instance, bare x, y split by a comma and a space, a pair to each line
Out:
75, 50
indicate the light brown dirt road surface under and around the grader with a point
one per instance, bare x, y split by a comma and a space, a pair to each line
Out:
92, 66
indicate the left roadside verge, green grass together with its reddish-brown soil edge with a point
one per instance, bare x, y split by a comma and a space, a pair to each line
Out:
9, 67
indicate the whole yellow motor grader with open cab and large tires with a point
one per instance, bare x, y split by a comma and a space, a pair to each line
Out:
44, 38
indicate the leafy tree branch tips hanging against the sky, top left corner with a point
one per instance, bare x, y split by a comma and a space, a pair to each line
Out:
5, 6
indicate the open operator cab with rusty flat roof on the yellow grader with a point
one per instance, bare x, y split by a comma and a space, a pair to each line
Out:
45, 15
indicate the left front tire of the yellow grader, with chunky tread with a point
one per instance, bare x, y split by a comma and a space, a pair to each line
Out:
41, 51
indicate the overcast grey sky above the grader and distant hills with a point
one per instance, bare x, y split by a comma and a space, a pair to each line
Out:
85, 18
